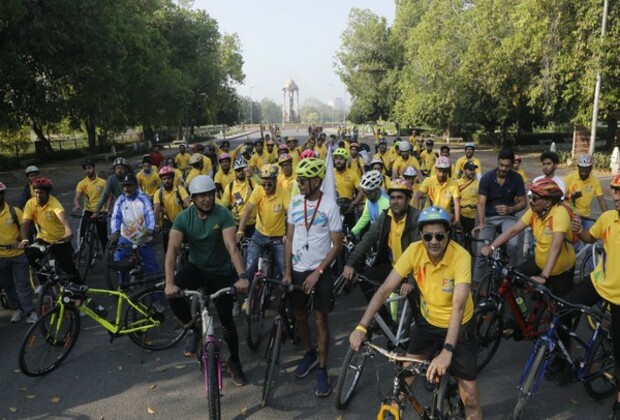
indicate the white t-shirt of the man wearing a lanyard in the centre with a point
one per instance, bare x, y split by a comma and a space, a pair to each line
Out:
311, 246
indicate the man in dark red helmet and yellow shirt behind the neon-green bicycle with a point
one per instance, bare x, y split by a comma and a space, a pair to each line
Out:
48, 215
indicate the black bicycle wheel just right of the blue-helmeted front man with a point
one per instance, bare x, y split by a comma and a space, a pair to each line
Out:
488, 321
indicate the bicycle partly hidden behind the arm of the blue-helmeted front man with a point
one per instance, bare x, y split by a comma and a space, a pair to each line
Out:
354, 362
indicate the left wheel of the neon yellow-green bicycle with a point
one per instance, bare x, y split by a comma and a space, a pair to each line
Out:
49, 341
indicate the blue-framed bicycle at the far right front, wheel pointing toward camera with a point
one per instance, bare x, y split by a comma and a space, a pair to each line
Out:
594, 366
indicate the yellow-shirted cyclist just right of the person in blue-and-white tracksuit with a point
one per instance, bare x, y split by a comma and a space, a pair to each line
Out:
169, 201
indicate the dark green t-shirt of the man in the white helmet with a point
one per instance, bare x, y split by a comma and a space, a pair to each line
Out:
205, 239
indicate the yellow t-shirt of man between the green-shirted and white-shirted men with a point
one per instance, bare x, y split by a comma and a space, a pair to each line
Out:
270, 211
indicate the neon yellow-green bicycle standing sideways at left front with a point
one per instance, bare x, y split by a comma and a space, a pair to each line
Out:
147, 321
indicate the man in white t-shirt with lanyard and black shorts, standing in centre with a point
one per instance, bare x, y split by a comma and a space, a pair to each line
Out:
313, 240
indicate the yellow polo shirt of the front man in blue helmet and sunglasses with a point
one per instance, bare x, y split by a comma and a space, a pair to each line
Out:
437, 282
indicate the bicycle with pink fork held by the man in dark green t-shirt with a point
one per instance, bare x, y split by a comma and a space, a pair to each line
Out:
209, 351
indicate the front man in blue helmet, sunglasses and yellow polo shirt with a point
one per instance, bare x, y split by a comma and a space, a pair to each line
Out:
442, 272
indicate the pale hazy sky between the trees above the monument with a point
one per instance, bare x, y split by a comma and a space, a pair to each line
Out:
295, 39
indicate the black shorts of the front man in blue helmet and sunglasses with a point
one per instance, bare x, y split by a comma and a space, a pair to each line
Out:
426, 339
